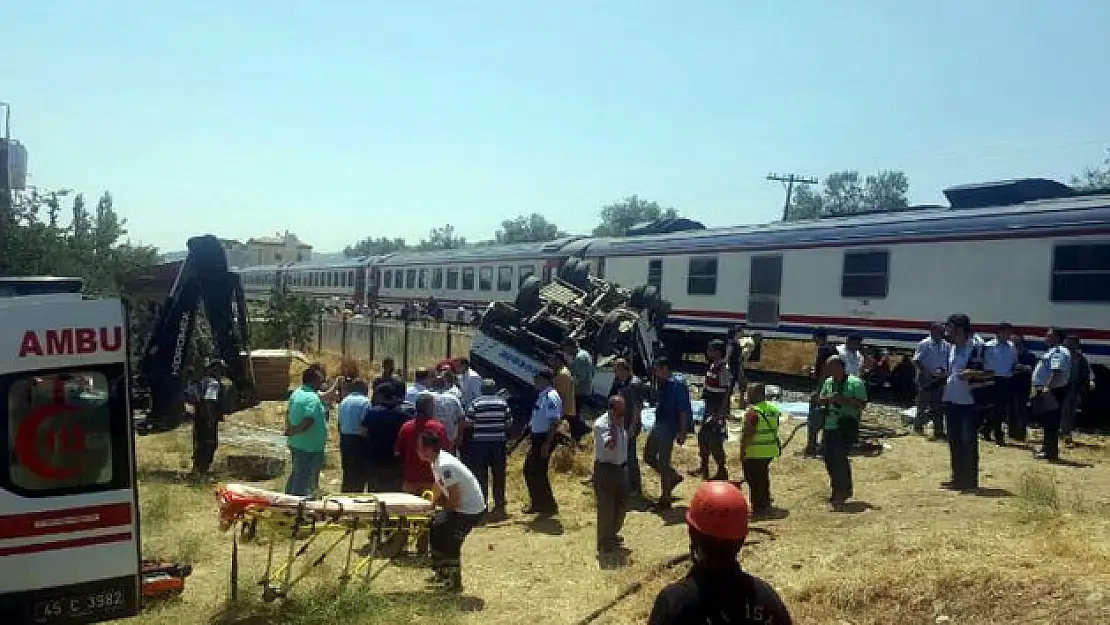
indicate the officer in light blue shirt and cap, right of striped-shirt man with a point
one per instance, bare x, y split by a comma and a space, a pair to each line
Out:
546, 418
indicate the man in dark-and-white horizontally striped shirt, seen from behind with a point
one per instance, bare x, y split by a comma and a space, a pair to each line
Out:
485, 451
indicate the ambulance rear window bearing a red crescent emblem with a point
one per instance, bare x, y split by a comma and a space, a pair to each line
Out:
60, 434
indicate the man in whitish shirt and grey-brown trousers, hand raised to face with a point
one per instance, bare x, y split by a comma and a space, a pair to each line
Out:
611, 482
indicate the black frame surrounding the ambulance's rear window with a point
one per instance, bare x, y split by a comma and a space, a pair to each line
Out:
118, 434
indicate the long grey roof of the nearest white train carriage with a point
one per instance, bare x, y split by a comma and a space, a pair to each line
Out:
1073, 215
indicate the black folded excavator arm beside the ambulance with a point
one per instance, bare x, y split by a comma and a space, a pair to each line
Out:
204, 277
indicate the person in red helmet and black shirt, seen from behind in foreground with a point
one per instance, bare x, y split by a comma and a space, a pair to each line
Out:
717, 590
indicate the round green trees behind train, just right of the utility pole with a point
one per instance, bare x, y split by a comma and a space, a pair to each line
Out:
846, 194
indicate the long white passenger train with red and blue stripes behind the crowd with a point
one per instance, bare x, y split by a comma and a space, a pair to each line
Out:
1032, 253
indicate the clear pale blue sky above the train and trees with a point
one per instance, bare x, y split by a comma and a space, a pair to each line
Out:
345, 119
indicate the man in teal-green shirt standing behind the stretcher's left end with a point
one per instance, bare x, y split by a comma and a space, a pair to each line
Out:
307, 432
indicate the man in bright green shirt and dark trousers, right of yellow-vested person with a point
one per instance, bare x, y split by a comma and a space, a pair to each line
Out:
843, 397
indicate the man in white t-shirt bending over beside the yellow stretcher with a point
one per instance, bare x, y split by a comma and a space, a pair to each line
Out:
461, 509
